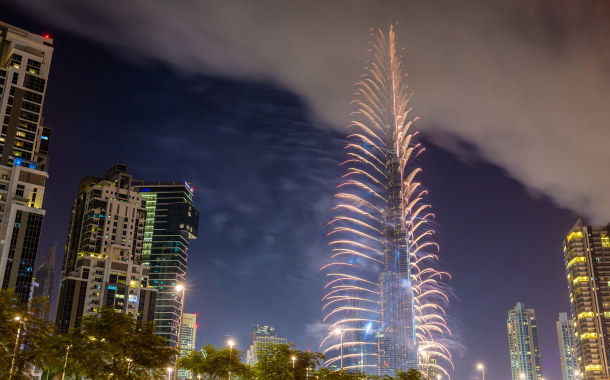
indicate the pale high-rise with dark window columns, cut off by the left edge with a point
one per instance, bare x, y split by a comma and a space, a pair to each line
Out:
25, 60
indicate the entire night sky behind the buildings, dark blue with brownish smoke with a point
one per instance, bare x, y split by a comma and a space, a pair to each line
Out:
262, 151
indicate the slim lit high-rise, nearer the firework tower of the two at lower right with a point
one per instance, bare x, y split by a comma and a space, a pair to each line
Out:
523, 344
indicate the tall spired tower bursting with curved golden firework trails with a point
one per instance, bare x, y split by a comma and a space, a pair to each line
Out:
381, 294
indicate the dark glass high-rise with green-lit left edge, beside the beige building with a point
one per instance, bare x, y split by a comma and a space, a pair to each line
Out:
171, 222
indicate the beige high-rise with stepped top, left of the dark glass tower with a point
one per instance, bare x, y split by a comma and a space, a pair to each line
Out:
102, 263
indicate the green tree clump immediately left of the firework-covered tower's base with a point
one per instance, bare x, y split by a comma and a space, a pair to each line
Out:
275, 362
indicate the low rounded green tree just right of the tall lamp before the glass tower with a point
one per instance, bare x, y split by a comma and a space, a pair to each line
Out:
212, 363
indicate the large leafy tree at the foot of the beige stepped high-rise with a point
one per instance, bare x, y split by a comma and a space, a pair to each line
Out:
114, 346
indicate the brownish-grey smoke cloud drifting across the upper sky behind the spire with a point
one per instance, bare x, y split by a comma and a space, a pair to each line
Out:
525, 83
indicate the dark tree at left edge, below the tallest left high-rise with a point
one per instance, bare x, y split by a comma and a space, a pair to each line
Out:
34, 347
